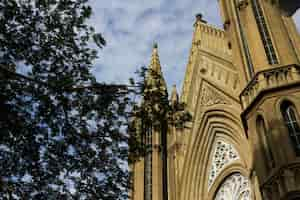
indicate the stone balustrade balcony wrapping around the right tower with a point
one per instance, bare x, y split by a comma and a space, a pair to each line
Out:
269, 79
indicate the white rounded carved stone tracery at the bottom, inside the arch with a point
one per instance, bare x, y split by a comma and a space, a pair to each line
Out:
235, 187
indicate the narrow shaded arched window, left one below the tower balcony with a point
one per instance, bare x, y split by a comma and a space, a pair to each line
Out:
265, 140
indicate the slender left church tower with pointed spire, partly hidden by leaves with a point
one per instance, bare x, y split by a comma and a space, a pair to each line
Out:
147, 172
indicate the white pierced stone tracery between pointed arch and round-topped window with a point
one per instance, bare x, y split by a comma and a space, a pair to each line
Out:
224, 154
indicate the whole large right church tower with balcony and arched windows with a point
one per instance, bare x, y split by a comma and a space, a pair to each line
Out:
266, 49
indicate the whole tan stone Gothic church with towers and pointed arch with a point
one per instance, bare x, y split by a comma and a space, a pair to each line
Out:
242, 88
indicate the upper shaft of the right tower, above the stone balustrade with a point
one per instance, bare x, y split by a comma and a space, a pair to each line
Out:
260, 35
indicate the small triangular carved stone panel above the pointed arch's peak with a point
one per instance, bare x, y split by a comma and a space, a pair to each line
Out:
210, 97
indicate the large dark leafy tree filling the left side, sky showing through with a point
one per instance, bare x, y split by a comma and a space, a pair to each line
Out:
62, 134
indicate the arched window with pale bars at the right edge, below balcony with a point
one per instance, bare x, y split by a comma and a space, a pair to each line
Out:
291, 121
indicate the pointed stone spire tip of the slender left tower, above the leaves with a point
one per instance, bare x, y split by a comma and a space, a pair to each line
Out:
155, 74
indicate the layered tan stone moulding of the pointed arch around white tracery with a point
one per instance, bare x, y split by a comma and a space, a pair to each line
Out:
218, 121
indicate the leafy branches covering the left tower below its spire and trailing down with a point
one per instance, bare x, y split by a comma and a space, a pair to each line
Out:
155, 111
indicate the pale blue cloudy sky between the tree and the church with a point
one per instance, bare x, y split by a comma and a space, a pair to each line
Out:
131, 27
